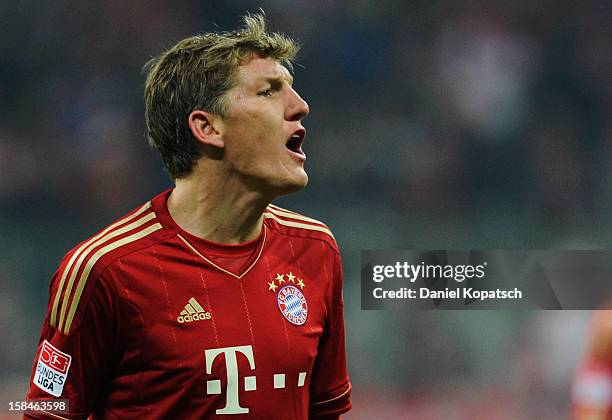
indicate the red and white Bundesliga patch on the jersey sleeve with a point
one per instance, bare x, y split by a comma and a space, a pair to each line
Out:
52, 369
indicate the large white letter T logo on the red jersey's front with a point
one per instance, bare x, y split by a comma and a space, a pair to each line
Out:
232, 405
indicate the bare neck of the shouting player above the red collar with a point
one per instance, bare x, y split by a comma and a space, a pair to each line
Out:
219, 210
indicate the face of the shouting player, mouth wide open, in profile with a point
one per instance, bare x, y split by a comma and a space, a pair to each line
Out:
262, 130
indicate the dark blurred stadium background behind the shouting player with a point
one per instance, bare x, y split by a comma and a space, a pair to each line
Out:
434, 125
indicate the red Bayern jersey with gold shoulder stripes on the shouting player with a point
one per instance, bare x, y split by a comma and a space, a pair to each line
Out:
148, 321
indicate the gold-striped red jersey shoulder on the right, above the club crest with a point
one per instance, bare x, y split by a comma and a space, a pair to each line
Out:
290, 223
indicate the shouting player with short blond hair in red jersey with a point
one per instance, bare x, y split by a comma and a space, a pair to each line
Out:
207, 301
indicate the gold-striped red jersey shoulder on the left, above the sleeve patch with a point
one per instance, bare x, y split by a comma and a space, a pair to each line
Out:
80, 269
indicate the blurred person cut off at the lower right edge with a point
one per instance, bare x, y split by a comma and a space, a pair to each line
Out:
592, 389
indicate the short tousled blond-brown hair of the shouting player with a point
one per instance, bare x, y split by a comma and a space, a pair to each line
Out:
195, 74
